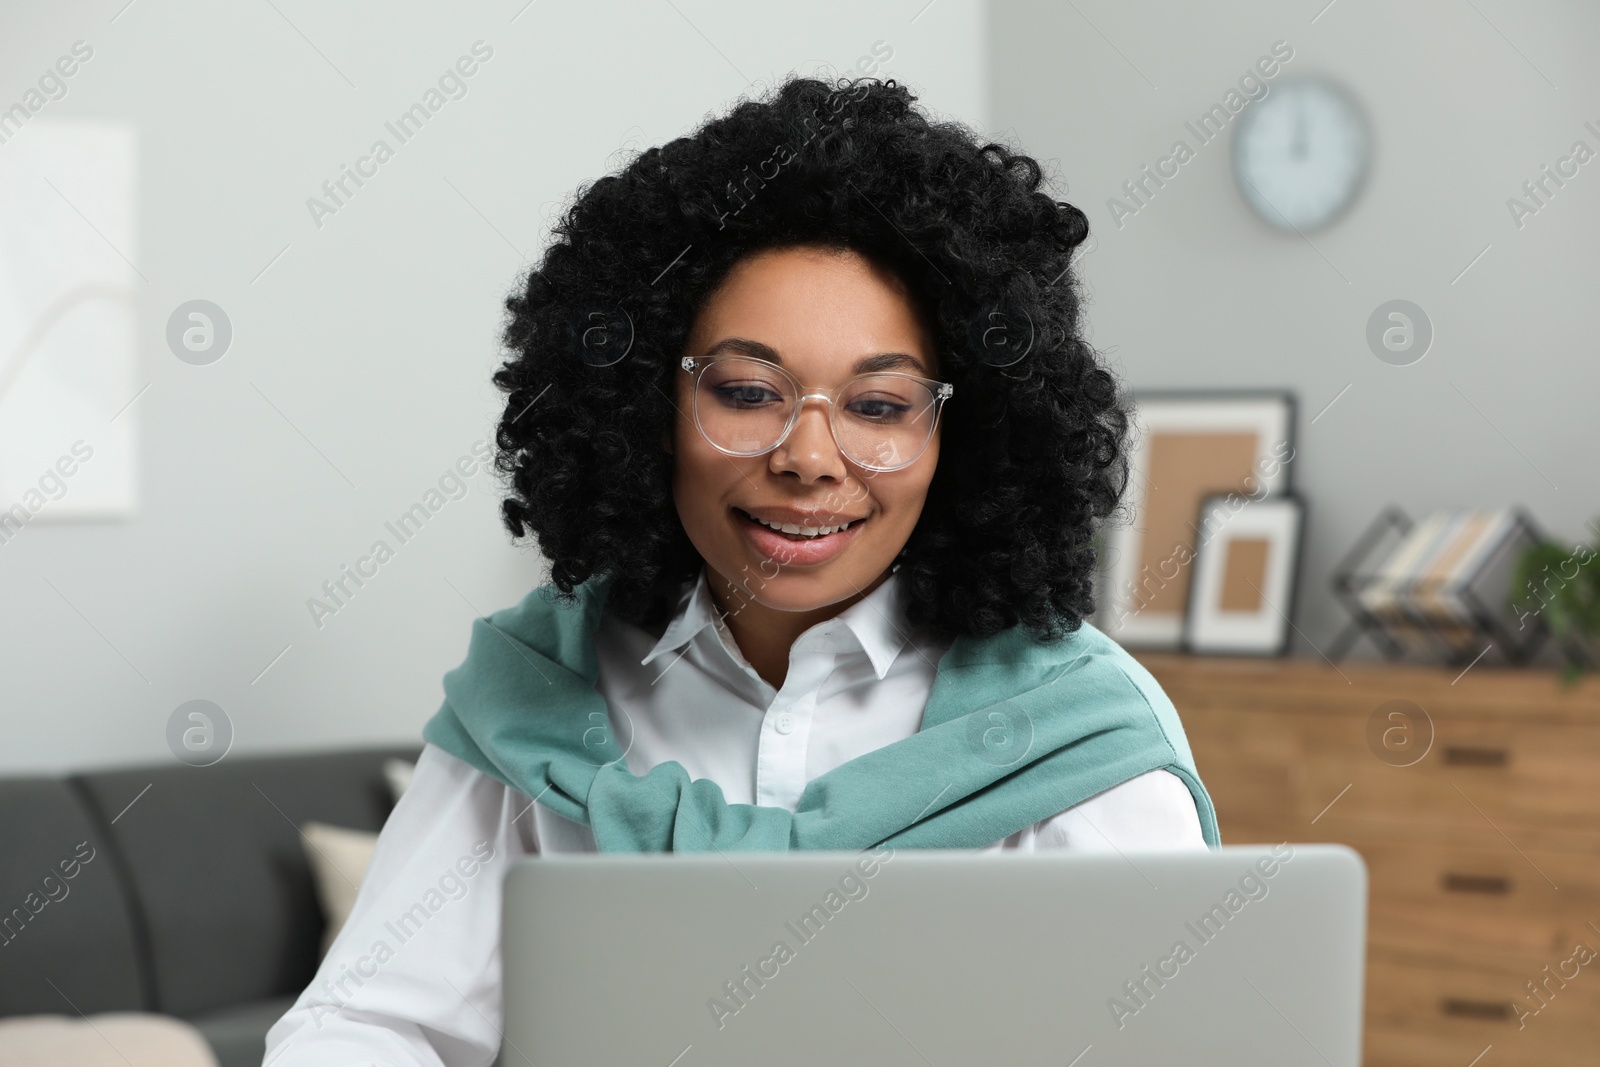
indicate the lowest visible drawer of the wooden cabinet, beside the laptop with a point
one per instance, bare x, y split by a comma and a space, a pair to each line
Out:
1428, 1010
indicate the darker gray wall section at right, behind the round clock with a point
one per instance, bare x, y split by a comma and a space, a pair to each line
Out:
1466, 103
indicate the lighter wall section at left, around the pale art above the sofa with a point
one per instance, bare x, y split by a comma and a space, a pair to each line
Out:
361, 361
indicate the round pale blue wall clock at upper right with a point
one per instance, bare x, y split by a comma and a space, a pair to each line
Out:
1302, 154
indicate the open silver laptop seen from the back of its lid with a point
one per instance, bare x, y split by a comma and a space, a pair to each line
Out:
930, 957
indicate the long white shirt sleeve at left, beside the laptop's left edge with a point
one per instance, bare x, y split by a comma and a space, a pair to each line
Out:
414, 978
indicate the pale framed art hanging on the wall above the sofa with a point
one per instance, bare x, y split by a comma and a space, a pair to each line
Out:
70, 322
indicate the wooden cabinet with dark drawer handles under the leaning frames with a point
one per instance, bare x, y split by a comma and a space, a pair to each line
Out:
1476, 802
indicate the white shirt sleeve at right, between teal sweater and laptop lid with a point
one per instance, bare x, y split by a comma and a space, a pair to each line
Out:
1153, 812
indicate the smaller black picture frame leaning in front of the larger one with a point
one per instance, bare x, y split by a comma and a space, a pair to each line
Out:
1246, 575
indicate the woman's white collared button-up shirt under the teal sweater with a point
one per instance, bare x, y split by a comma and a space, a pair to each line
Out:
426, 991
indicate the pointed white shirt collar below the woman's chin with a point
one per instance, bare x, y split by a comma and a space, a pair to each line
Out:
874, 625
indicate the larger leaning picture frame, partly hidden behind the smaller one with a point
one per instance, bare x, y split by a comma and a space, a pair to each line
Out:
1186, 447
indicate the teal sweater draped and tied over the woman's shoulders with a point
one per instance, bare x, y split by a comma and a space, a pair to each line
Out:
1015, 732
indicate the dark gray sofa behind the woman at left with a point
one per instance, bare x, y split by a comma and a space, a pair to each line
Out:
196, 901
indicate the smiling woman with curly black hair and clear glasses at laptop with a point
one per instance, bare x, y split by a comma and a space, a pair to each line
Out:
806, 426
